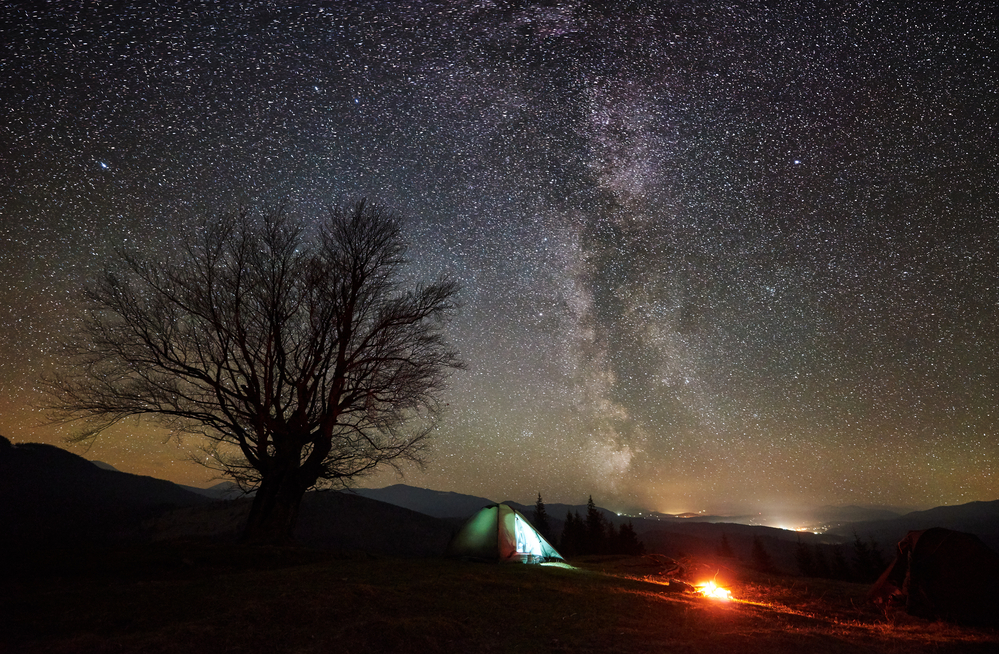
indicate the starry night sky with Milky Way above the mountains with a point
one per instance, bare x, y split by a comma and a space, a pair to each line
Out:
714, 257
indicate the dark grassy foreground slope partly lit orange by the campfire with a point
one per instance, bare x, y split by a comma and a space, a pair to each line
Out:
198, 599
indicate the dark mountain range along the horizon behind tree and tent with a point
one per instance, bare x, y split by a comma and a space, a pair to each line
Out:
51, 496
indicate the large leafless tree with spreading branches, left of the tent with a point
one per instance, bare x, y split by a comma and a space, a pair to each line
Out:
303, 361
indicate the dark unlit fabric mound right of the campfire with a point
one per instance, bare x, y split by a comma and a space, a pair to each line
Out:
941, 574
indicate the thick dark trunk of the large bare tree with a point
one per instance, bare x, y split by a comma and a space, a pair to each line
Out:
274, 512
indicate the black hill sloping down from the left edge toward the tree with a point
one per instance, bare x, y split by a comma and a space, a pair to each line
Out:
50, 495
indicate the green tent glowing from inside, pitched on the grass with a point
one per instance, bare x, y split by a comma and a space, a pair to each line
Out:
500, 533
